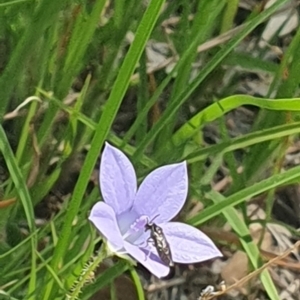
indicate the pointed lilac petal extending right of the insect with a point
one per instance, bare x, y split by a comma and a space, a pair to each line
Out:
188, 244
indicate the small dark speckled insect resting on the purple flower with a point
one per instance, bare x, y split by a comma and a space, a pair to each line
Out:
160, 242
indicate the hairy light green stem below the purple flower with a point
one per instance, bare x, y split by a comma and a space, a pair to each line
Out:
87, 274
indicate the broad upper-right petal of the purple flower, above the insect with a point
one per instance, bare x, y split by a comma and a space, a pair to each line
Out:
163, 192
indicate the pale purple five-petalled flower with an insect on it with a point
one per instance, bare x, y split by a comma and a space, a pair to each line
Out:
122, 217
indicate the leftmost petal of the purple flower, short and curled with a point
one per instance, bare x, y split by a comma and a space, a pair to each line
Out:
104, 219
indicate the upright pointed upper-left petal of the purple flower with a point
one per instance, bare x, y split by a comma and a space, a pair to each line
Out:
117, 179
